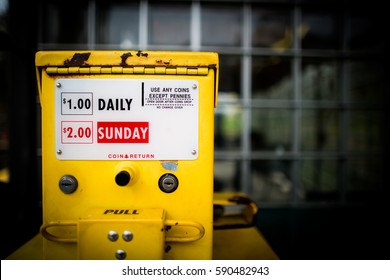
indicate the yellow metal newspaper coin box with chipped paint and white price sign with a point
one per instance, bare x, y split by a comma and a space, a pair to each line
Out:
127, 153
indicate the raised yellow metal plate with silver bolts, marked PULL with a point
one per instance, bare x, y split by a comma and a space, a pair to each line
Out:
135, 236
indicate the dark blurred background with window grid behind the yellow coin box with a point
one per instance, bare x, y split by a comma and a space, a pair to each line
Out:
302, 120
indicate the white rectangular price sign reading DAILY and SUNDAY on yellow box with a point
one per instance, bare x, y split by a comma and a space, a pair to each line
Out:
119, 119
